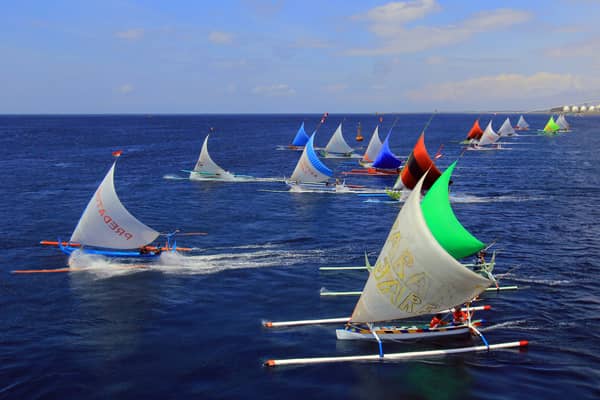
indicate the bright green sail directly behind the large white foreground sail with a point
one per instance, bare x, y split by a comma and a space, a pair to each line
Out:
442, 222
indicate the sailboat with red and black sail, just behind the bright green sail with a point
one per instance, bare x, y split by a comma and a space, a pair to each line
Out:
416, 166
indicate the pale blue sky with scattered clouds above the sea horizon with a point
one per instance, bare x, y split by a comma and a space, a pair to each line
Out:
289, 56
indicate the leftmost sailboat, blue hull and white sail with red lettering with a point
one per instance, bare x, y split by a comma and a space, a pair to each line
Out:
106, 228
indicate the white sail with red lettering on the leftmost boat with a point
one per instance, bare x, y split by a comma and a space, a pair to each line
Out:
107, 223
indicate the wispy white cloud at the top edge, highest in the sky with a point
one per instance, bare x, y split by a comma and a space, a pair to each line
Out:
398, 39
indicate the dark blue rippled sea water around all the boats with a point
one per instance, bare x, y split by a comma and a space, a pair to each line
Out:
190, 327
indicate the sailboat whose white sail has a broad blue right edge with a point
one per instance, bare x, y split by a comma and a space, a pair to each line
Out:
310, 174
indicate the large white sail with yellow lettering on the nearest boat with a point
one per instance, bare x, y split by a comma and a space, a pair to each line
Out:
413, 274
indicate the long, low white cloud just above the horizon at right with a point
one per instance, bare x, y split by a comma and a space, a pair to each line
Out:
502, 87
